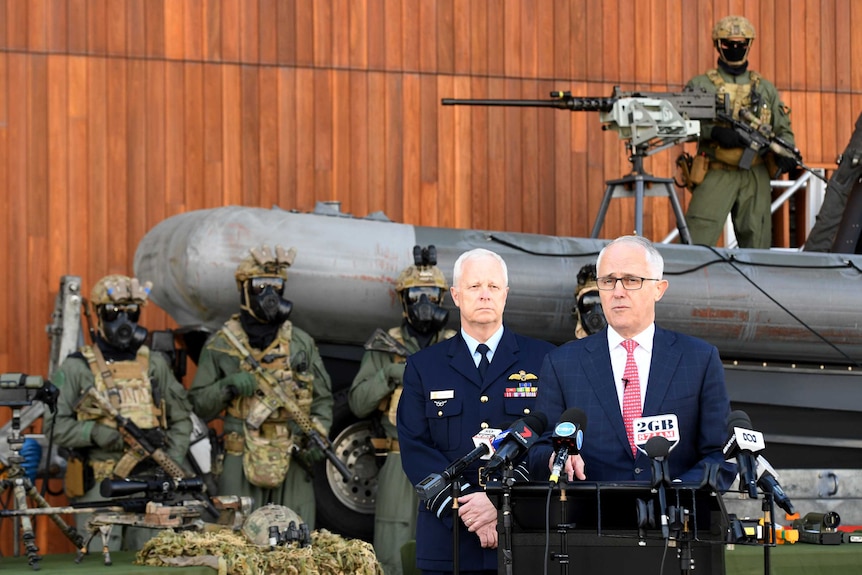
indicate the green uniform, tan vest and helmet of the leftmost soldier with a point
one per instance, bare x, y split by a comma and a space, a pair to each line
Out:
73, 431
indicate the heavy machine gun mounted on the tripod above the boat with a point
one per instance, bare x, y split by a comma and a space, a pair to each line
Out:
648, 121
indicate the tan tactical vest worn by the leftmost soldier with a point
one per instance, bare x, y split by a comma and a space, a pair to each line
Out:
131, 384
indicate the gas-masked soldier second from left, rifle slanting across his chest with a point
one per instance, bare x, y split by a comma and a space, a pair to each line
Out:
268, 459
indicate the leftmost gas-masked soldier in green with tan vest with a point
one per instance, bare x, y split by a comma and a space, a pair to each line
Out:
140, 383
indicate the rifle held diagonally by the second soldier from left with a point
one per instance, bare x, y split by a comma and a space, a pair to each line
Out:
271, 396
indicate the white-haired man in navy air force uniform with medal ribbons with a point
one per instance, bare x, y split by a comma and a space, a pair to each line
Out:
446, 401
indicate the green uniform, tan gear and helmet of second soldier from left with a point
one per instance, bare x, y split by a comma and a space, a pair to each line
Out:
292, 357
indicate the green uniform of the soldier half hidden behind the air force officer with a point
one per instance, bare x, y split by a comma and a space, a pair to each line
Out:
376, 389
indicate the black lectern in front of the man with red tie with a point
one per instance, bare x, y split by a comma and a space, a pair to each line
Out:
599, 528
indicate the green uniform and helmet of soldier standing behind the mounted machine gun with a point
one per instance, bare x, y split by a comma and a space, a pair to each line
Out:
727, 189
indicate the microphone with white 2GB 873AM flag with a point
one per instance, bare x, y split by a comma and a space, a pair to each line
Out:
656, 436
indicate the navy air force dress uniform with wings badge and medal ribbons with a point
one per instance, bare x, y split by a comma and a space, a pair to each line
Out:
443, 404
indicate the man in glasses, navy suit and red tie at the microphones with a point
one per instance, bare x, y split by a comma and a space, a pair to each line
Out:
665, 373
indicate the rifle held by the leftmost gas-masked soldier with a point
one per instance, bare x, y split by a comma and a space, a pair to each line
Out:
140, 444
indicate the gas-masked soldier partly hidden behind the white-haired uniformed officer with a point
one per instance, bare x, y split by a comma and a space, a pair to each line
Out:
376, 389
